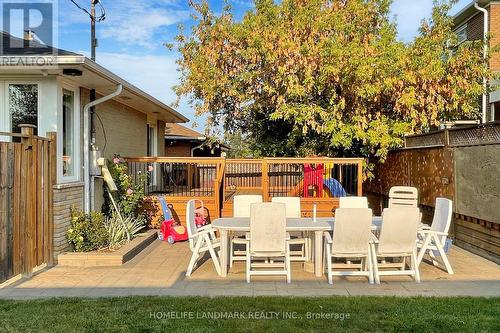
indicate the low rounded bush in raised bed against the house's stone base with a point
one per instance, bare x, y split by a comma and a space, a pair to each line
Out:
87, 231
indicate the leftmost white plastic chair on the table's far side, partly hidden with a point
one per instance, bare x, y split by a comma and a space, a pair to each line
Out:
241, 208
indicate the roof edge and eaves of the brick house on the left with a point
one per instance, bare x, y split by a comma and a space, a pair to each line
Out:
52, 61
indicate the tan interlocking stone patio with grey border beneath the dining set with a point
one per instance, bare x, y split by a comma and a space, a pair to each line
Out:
160, 270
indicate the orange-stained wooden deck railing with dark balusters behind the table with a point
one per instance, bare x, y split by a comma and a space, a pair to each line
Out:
216, 181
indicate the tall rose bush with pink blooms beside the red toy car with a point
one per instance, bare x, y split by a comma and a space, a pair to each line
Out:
131, 192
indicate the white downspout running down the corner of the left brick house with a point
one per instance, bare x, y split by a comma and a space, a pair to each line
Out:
87, 142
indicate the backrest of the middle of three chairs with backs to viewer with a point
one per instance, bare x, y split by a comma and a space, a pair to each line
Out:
351, 232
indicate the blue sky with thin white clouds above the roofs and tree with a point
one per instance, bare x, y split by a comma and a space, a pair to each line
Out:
132, 37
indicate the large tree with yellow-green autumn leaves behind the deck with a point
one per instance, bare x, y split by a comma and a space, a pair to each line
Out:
322, 77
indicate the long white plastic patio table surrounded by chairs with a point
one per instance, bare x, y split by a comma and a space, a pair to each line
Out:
226, 225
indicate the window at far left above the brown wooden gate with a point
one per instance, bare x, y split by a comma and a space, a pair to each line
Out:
23, 105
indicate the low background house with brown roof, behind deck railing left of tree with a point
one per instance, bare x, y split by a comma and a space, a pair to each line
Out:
181, 141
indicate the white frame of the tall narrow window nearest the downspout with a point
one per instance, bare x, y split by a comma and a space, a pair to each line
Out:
76, 177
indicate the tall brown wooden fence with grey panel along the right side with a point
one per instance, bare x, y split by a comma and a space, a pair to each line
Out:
462, 164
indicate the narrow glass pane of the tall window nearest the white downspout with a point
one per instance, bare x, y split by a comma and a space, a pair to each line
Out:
68, 133
